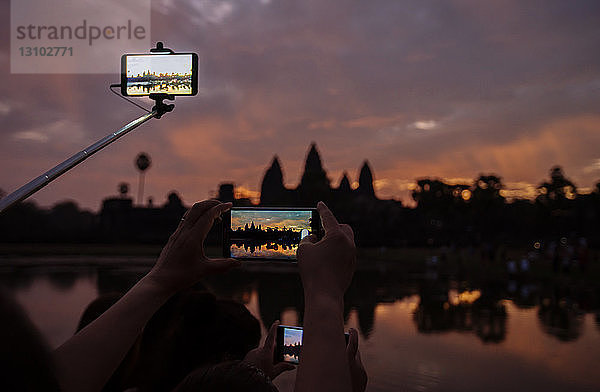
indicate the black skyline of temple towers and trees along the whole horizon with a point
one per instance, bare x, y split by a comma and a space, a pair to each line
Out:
442, 215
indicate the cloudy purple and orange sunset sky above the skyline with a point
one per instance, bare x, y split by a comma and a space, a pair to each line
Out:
448, 89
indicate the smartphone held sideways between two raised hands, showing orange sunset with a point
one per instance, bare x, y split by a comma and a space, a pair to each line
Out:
268, 233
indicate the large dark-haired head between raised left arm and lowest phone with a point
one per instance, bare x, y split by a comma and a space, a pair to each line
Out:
193, 329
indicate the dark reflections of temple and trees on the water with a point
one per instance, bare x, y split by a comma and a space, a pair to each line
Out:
442, 307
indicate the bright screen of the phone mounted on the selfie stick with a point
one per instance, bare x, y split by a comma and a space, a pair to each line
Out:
169, 74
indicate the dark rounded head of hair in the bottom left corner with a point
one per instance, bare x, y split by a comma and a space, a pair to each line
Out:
25, 359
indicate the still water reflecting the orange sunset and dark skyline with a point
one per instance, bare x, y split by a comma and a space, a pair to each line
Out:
418, 332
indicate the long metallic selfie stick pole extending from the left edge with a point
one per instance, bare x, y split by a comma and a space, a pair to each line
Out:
38, 183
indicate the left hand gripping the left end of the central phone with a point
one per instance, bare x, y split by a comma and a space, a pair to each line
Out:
182, 261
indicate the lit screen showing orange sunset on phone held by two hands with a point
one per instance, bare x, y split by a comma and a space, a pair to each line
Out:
268, 234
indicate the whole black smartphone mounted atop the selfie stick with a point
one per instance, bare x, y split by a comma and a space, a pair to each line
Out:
155, 73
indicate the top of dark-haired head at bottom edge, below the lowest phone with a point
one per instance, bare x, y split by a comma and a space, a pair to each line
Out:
231, 376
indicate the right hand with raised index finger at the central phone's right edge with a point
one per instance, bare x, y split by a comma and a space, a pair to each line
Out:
326, 267
